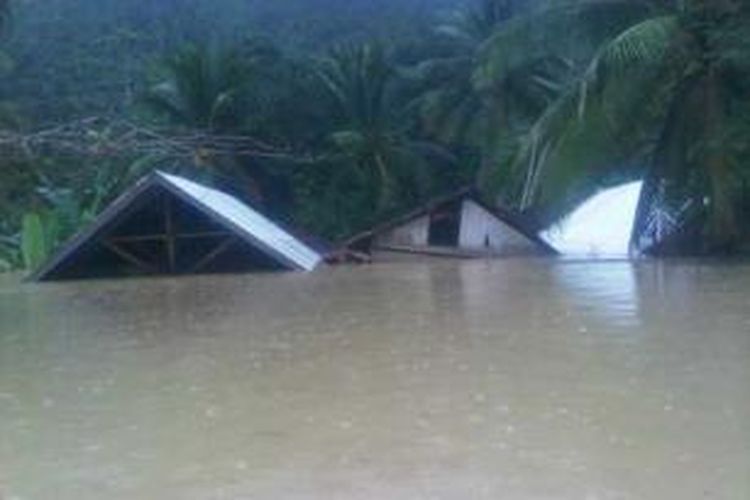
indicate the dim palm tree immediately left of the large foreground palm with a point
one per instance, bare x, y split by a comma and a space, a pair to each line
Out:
460, 109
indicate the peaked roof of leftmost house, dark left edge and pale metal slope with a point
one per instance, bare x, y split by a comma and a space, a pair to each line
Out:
237, 218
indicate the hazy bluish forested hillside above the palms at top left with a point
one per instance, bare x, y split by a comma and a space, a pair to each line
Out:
74, 56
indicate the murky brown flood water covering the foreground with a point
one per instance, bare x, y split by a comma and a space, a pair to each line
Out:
446, 380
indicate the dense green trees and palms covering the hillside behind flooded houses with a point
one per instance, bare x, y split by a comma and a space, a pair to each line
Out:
339, 114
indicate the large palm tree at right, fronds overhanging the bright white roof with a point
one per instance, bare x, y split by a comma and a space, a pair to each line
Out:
659, 95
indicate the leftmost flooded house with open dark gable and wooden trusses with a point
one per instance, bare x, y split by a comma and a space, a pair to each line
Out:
166, 224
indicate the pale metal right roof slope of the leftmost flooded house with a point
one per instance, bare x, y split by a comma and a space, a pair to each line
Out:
244, 218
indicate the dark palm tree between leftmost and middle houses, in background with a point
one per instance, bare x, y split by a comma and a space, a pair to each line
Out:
371, 134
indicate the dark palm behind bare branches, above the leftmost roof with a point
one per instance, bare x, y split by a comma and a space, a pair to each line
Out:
208, 90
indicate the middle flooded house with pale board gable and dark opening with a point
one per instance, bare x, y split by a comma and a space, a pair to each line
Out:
460, 225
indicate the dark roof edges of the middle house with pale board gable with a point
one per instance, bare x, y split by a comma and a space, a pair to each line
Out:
511, 218
